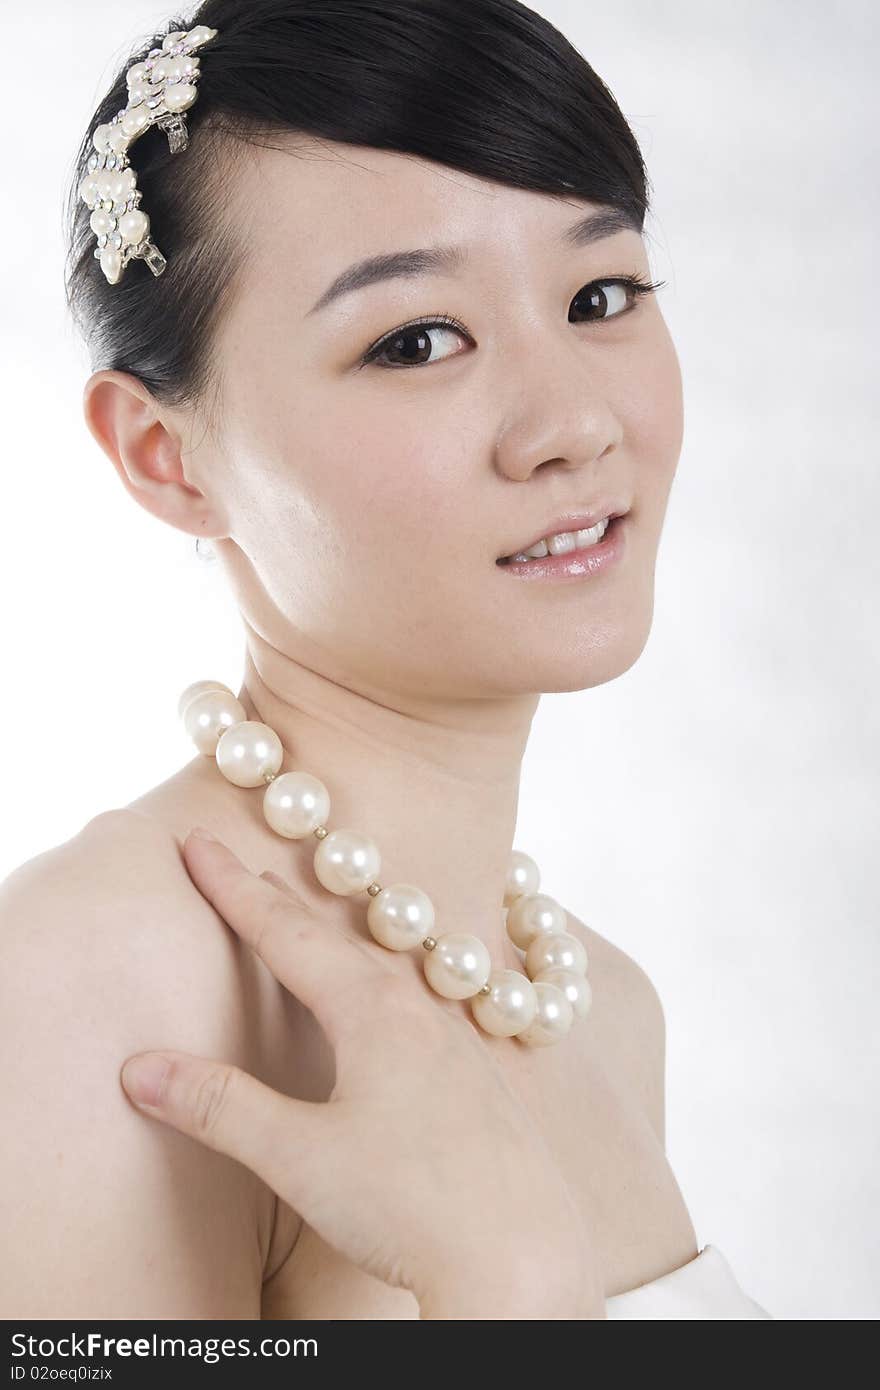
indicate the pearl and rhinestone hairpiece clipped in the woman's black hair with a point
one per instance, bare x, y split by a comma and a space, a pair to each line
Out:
161, 88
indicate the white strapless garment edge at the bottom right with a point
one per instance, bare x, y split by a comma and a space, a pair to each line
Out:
706, 1288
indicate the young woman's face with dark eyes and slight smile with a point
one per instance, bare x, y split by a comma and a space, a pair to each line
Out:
370, 501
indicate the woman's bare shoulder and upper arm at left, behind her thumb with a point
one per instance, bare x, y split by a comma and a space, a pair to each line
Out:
108, 949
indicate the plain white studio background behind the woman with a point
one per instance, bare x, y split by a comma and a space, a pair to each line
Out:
739, 755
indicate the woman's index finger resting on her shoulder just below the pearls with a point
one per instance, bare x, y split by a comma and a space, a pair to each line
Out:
330, 972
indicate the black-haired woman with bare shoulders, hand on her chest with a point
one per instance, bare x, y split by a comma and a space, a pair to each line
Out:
407, 333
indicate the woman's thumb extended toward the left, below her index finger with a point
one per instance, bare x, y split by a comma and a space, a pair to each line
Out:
230, 1111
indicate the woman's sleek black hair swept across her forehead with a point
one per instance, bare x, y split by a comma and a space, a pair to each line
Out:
486, 87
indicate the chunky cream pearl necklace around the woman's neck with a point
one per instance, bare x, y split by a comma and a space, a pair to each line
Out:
537, 1008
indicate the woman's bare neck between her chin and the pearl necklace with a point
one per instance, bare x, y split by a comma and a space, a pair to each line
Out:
436, 785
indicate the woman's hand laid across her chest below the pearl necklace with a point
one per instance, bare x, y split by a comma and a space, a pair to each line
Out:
423, 1168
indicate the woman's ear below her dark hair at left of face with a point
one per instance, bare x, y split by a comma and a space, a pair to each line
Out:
147, 448
